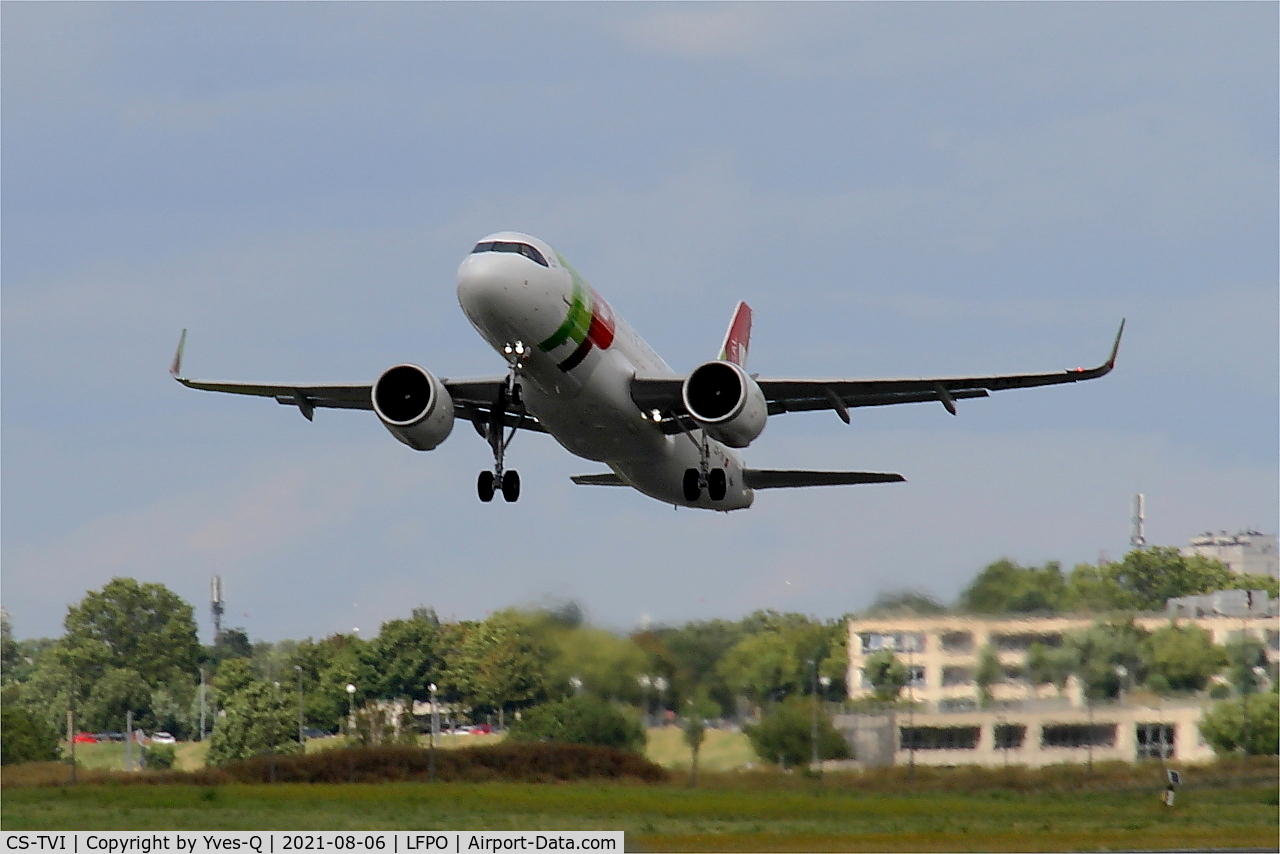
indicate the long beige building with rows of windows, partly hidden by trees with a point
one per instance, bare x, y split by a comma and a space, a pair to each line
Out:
1026, 724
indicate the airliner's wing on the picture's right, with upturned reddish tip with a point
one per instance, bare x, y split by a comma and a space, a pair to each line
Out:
843, 395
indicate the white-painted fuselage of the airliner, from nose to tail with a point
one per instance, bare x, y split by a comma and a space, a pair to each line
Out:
588, 409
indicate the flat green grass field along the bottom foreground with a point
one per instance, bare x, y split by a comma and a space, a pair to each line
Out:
764, 812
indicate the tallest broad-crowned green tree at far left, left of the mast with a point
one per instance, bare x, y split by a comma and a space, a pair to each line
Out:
145, 628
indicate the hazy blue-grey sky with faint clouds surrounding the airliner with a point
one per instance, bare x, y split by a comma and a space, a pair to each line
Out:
899, 190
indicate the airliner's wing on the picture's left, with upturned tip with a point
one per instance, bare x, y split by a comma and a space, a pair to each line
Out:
473, 399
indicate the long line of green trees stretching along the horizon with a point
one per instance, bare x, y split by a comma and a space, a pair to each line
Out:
134, 647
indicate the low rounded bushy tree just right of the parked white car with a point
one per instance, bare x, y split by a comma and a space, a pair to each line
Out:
257, 719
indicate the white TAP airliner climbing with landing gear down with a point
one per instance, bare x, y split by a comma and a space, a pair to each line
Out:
578, 372
